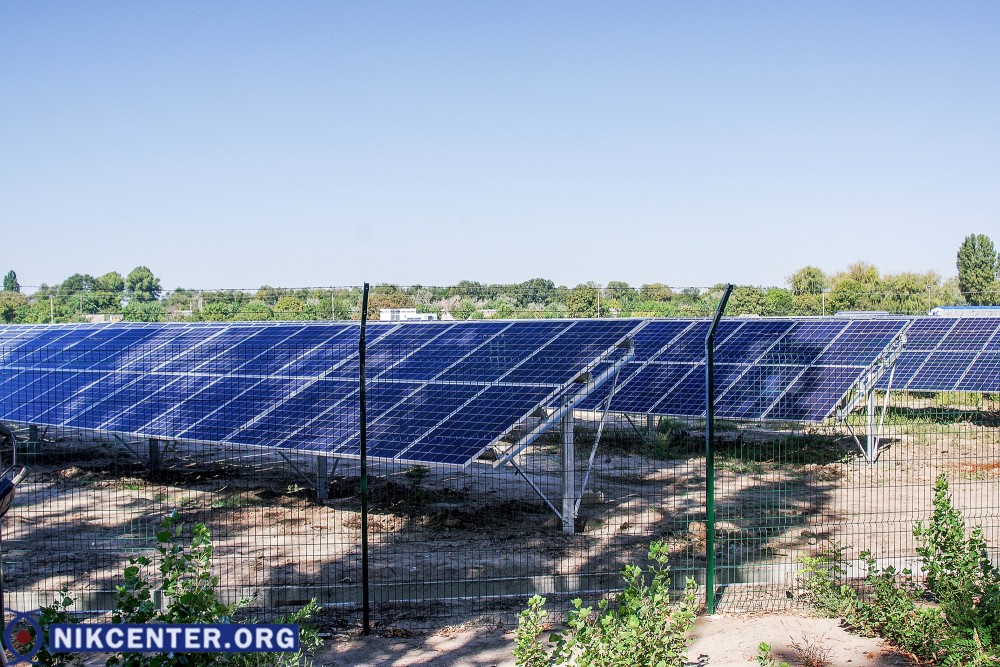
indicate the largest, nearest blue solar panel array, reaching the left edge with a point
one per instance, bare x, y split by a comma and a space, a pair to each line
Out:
438, 393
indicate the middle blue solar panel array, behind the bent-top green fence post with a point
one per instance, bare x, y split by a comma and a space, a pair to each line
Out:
777, 369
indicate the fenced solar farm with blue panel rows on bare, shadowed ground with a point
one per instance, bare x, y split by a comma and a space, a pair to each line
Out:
504, 458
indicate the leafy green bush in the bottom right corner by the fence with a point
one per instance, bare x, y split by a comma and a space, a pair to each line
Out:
952, 618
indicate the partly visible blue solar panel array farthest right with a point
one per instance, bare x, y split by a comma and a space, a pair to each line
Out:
950, 354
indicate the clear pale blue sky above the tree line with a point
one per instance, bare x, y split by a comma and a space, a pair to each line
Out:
232, 144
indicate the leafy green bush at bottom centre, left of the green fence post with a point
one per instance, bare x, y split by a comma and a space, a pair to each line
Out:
643, 628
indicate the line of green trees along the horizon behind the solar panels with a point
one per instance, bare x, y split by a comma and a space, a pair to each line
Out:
138, 296
